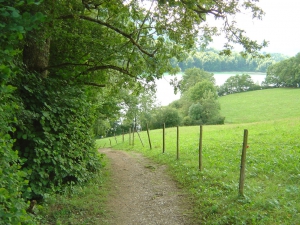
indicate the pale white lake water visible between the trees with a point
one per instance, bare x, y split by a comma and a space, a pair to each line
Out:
165, 92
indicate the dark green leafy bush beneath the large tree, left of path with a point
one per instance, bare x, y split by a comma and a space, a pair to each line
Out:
53, 133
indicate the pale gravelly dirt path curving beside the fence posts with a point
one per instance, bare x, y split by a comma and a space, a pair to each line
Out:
142, 193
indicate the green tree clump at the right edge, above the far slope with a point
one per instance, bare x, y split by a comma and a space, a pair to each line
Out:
285, 73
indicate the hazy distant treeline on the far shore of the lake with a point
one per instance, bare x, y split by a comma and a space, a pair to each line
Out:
210, 60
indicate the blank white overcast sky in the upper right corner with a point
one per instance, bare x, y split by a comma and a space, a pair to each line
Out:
280, 26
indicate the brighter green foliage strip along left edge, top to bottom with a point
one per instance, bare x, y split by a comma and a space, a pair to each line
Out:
13, 26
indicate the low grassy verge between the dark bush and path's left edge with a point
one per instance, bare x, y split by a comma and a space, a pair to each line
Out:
78, 205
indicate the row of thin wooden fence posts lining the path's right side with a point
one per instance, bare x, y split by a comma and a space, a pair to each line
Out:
243, 156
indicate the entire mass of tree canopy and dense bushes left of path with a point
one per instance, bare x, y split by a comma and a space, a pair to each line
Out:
69, 61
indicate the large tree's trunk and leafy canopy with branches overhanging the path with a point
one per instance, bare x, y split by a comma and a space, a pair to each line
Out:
89, 40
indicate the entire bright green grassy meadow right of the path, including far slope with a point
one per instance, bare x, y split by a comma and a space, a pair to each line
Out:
272, 184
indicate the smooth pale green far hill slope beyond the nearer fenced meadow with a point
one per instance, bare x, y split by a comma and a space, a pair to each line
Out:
262, 105
